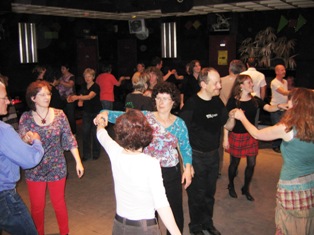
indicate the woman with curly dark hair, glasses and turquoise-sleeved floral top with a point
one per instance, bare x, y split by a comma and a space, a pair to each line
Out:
169, 135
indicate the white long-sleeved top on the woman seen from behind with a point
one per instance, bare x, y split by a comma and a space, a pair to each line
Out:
138, 181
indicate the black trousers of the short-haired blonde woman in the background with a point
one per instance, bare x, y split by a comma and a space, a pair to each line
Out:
91, 146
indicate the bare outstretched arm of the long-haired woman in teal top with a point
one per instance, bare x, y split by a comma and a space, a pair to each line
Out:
266, 134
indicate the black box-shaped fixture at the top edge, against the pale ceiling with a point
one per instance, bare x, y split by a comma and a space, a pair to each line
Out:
170, 6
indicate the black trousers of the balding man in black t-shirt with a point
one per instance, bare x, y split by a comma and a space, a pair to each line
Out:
201, 192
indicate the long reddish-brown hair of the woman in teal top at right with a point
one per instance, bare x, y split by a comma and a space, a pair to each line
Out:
301, 115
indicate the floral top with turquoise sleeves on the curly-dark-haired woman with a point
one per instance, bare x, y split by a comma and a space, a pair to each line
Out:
165, 140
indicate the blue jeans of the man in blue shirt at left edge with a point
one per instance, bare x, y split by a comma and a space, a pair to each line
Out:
14, 216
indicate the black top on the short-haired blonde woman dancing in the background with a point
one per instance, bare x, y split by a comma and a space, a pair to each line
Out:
93, 105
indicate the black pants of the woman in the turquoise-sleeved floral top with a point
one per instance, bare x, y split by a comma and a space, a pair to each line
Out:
173, 186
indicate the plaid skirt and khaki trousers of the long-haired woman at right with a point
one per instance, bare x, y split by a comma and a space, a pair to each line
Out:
295, 207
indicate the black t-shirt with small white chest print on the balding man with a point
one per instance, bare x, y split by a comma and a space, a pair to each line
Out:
204, 120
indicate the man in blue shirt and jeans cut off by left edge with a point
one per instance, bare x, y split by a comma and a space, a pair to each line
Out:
14, 153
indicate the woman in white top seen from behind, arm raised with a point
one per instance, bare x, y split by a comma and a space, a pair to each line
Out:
137, 176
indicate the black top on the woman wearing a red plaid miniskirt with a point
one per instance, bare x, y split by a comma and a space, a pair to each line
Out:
250, 109
